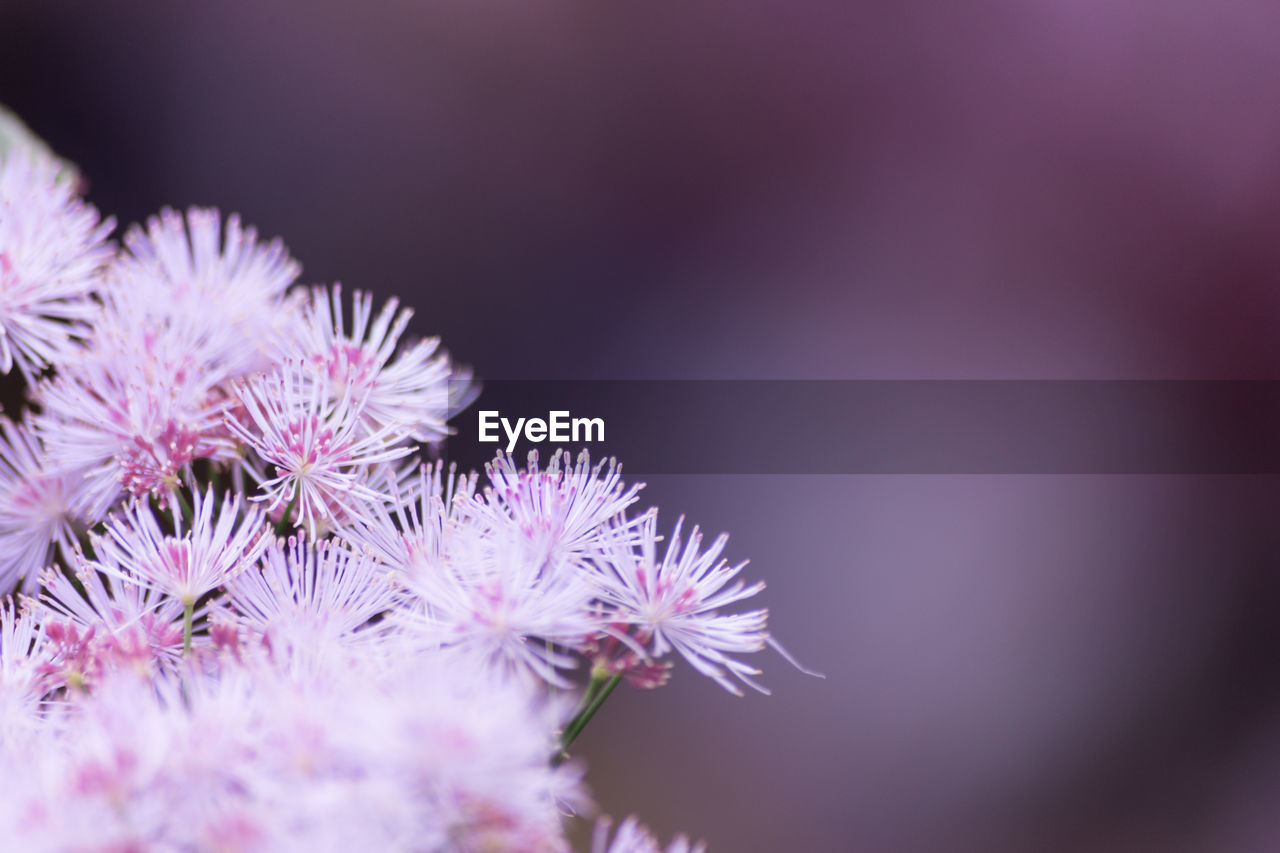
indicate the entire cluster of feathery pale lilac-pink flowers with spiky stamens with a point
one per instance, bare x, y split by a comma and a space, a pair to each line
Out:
246, 617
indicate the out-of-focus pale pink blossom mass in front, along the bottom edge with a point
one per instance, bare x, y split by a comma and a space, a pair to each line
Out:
415, 756
